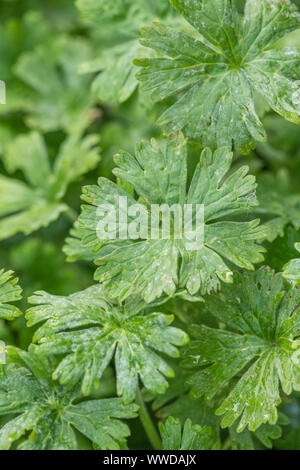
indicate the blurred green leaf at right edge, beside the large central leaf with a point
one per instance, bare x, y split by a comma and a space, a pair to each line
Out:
278, 200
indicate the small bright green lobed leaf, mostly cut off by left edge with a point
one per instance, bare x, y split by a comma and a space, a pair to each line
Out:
10, 291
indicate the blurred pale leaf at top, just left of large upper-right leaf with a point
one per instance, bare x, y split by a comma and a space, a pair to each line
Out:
117, 81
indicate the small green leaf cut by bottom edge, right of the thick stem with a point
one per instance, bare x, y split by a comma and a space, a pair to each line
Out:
191, 437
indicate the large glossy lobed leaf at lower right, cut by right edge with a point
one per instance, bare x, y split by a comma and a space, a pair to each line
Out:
254, 353
